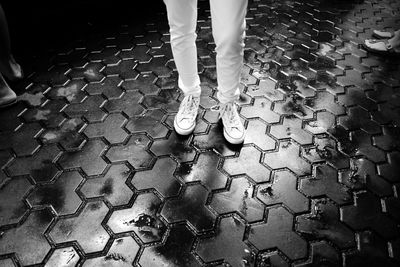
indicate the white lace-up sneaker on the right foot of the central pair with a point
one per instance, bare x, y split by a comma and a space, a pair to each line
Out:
234, 131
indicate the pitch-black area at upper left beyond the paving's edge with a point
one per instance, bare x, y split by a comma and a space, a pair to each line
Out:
37, 27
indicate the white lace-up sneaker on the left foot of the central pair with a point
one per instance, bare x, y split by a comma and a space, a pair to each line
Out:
185, 119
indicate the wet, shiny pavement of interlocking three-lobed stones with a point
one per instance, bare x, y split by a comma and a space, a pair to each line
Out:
92, 173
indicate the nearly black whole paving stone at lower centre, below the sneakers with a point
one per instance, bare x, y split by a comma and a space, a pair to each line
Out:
190, 207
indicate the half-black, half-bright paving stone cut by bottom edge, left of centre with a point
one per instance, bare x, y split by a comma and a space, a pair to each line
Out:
174, 252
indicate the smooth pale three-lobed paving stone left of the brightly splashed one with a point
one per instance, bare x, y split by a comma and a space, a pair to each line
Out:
85, 228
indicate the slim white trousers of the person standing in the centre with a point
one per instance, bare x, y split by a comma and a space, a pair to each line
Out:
228, 28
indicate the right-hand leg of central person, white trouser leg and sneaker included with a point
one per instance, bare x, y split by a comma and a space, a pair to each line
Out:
229, 25
